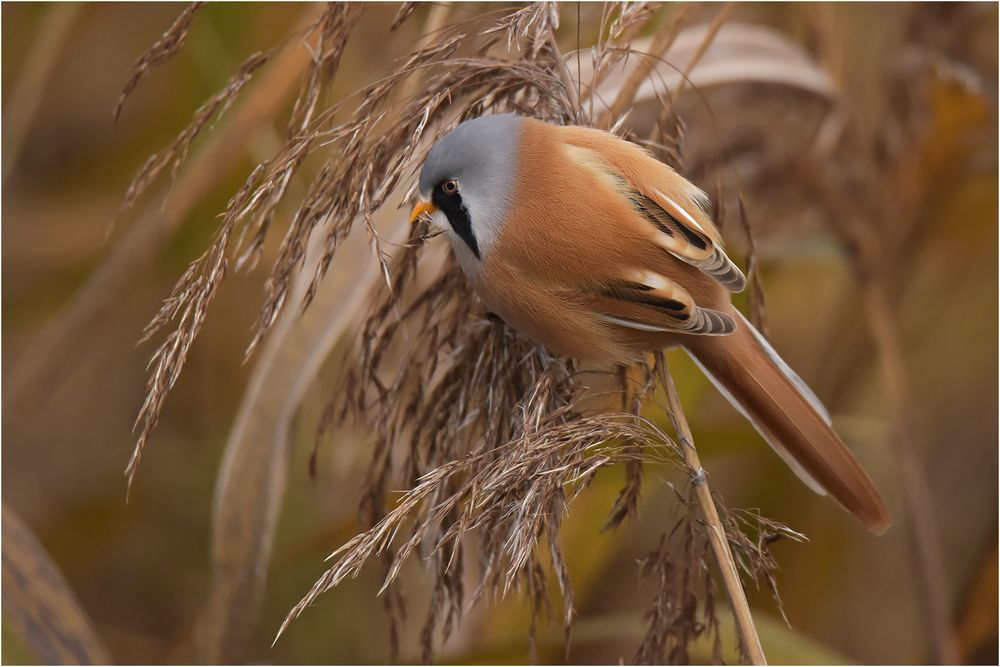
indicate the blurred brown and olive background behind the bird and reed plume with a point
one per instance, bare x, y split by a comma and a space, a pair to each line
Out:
909, 374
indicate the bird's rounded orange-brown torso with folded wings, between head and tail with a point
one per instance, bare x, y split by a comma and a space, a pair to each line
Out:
570, 271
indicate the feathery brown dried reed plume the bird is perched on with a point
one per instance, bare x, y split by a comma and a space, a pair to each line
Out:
494, 436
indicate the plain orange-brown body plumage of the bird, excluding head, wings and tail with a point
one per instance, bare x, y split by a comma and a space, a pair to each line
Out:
568, 231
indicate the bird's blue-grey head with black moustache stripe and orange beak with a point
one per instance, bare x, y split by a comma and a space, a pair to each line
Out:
466, 182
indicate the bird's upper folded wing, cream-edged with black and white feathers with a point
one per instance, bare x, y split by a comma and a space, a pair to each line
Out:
671, 205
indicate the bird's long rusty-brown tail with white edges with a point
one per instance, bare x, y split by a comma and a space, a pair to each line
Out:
747, 370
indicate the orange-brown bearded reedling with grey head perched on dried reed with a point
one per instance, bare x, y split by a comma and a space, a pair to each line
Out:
587, 244
